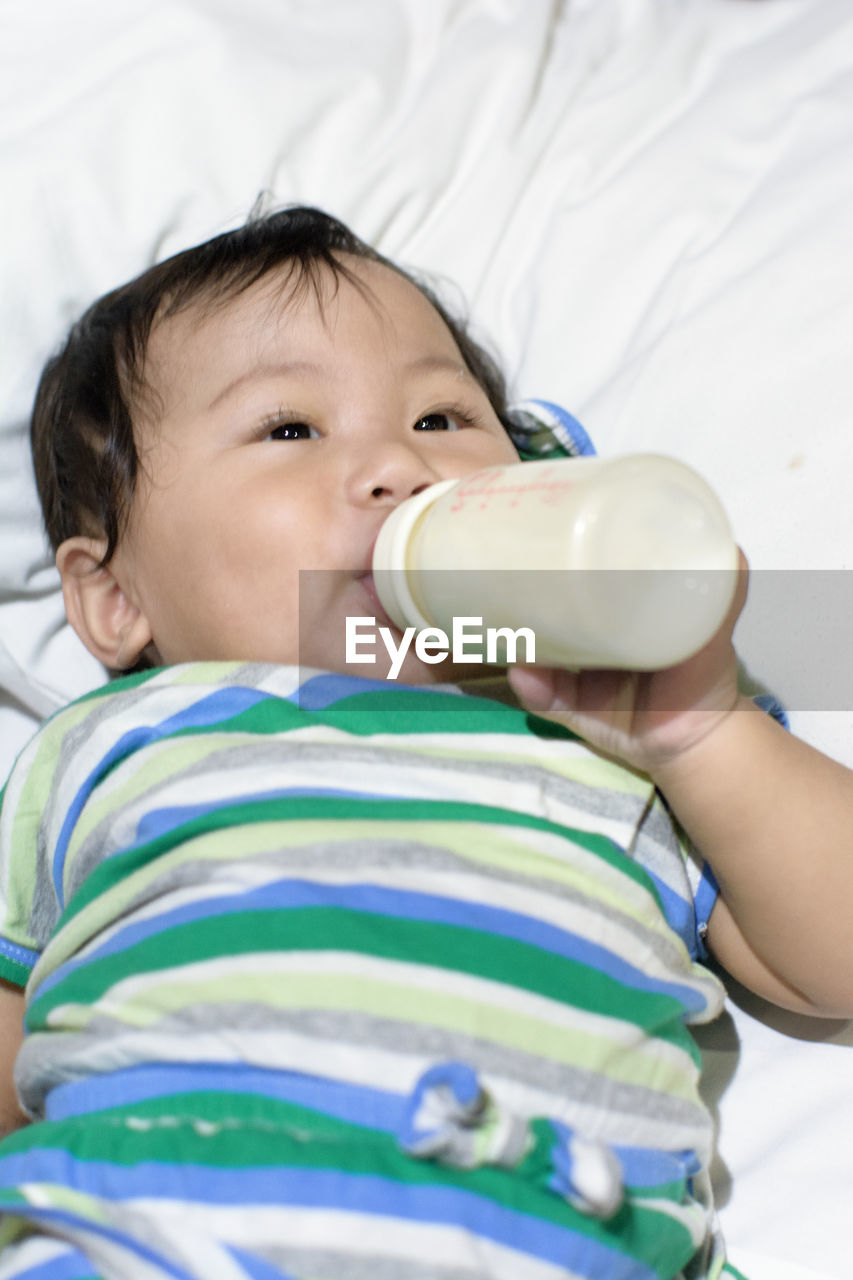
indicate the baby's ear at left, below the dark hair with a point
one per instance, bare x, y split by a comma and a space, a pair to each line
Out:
107, 621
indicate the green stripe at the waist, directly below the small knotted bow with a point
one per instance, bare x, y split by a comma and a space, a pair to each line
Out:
271, 1133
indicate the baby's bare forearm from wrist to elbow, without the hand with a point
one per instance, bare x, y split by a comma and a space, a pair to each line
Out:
774, 817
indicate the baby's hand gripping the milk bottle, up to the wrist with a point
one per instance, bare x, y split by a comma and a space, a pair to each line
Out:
645, 719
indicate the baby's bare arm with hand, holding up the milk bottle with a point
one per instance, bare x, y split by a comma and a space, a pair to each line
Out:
773, 816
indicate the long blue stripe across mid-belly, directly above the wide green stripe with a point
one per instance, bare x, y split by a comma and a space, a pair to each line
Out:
402, 904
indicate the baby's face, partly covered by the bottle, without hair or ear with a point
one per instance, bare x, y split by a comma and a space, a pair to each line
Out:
285, 435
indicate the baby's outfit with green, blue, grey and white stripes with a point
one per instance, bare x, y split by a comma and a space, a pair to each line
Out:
337, 980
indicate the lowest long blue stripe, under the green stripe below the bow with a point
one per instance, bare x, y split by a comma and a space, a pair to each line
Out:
322, 1190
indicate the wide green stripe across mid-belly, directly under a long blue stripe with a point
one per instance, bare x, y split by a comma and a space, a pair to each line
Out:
318, 929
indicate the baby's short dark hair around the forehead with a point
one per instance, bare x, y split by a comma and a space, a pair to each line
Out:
84, 449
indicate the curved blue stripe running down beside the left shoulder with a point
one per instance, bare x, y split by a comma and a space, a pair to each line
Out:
221, 706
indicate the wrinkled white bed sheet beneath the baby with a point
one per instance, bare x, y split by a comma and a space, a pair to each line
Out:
646, 204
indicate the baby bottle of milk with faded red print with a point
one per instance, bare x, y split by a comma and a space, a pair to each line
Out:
624, 563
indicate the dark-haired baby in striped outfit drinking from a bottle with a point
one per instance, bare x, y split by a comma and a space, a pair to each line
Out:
331, 977
